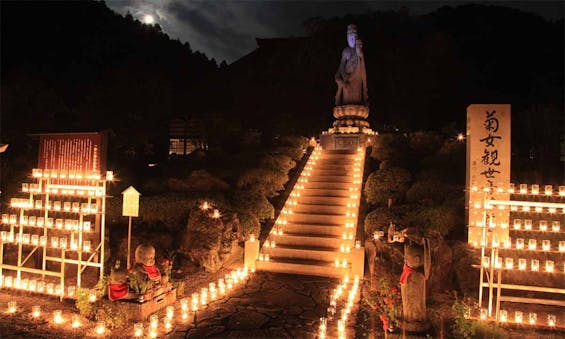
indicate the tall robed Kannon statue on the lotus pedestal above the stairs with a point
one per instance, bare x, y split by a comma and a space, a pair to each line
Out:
351, 77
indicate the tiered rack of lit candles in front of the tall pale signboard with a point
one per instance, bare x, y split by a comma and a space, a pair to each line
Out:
497, 236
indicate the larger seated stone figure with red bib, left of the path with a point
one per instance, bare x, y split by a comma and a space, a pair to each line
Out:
146, 275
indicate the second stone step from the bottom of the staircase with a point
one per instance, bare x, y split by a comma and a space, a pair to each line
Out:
326, 254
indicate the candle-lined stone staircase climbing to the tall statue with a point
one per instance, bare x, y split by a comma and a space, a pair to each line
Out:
315, 232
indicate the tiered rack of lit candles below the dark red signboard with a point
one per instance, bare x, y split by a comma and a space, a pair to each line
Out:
62, 222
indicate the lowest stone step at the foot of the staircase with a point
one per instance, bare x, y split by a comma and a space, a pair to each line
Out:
302, 267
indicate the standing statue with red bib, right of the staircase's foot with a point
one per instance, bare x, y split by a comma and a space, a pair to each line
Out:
417, 266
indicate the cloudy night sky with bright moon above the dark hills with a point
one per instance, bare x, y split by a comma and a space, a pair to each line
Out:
226, 30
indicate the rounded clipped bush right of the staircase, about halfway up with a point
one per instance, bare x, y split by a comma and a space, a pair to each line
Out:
387, 183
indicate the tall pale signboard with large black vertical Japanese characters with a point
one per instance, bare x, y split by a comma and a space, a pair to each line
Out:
488, 169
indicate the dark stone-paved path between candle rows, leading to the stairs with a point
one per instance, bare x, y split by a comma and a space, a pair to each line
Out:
269, 305
